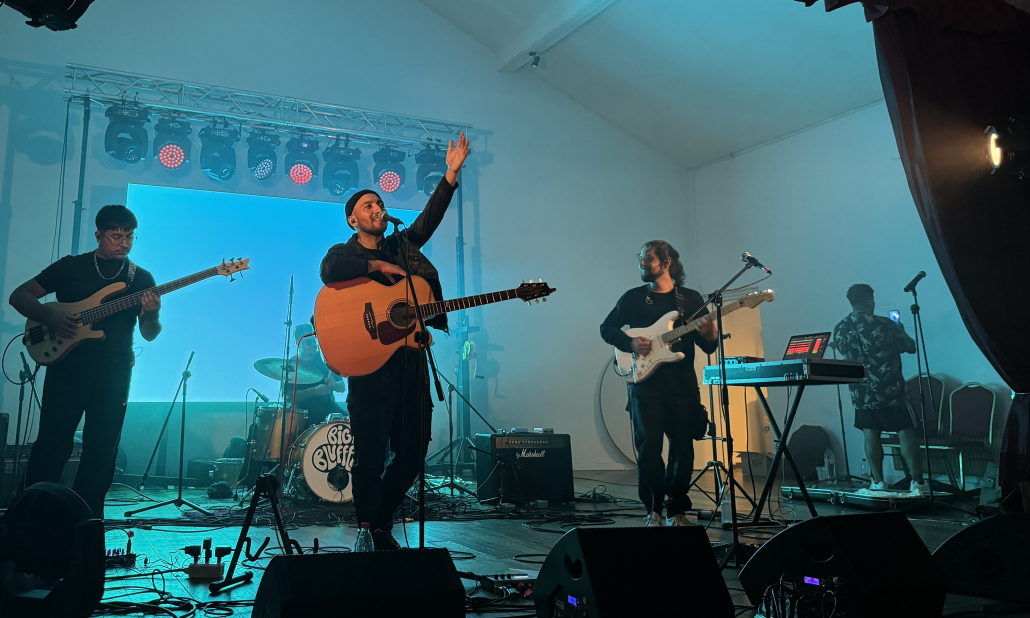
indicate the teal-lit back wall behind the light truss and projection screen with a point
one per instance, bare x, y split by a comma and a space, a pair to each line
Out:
552, 191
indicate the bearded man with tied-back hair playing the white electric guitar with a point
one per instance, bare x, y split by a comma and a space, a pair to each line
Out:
668, 403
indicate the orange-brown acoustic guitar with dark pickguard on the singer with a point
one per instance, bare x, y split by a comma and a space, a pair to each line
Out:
361, 323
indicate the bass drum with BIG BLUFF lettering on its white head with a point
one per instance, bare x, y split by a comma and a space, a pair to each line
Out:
320, 464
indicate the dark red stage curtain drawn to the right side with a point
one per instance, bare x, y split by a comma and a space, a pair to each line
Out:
949, 70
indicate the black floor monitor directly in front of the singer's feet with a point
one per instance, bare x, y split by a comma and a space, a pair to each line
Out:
380, 583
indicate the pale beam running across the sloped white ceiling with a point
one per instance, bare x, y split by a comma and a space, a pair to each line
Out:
550, 29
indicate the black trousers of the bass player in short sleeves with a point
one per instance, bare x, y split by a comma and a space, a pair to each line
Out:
98, 388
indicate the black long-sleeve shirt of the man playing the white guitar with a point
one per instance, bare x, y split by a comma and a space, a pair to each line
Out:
633, 310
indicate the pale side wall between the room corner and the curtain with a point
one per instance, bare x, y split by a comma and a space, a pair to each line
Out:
825, 210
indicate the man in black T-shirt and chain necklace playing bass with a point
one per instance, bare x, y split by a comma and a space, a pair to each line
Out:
94, 377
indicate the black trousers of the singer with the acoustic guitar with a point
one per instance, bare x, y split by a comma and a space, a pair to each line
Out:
390, 445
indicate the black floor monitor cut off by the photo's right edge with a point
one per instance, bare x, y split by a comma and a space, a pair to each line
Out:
989, 560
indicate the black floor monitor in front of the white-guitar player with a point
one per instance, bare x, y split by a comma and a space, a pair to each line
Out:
623, 572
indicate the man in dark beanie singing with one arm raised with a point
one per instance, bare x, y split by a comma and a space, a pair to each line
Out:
386, 405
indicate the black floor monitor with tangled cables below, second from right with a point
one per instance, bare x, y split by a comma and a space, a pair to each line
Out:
876, 565
